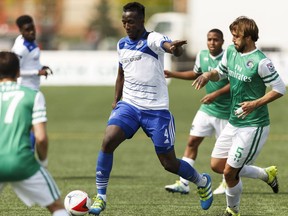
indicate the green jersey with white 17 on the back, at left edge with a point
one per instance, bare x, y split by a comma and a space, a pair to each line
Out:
20, 108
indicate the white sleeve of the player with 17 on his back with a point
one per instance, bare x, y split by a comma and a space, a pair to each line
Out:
39, 109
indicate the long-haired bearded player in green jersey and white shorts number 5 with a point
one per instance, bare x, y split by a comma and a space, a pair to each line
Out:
249, 72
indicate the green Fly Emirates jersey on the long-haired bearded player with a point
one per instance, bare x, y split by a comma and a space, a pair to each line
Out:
248, 74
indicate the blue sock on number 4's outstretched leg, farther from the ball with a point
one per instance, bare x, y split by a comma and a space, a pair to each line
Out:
186, 171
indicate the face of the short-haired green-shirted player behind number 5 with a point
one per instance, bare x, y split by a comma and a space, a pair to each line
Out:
214, 43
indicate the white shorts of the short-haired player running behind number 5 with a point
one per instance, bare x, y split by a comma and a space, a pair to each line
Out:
204, 125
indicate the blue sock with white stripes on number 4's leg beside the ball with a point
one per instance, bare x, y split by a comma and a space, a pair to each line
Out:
103, 170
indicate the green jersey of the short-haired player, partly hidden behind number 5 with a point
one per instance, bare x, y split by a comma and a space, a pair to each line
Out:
220, 107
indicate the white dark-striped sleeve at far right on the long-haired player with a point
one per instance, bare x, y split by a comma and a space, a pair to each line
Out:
270, 77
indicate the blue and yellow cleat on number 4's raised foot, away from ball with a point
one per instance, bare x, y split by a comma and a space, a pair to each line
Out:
205, 193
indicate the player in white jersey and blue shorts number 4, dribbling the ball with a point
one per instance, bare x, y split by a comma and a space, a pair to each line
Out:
145, 103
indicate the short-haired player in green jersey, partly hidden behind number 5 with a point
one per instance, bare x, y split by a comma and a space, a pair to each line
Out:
214, 112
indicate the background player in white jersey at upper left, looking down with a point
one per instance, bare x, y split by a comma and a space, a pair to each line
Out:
28, 53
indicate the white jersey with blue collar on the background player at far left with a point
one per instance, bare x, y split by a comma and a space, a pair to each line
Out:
29, 56
